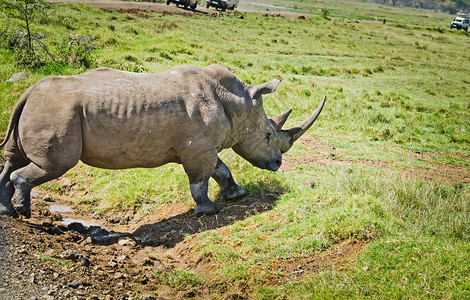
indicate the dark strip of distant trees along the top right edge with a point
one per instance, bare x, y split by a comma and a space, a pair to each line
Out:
450, 6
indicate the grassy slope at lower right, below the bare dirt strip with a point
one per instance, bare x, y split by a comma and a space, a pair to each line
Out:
418, 231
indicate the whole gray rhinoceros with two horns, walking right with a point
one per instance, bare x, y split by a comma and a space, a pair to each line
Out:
116, 120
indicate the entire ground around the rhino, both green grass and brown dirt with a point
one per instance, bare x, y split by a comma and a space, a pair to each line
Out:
372, 202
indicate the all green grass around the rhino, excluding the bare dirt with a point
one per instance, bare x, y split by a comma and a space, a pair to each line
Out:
393, 90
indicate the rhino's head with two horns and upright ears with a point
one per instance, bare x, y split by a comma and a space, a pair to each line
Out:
263, 141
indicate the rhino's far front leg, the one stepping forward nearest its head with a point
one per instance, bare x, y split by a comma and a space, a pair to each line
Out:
229, 189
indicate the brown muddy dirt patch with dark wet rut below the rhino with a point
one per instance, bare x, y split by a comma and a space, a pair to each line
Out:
109, 260
